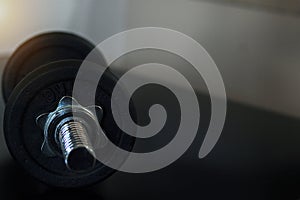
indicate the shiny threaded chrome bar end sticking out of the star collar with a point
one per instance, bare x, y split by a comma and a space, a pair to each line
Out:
76, 146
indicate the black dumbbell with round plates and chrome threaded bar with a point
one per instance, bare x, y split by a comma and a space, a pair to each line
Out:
41, 131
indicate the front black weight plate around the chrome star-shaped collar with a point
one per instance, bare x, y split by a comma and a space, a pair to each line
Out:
39, 92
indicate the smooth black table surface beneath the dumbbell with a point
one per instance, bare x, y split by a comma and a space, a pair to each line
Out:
257, 157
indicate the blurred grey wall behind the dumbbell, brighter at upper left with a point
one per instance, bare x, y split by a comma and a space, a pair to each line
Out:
255, 44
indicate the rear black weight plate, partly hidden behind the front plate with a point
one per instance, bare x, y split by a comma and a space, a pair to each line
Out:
40, 50
